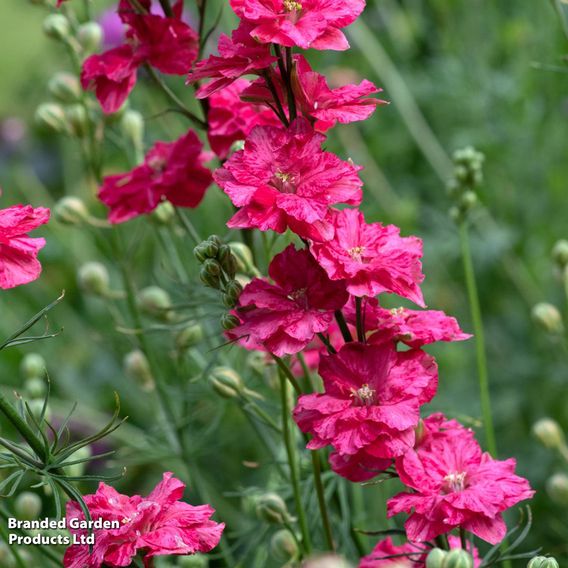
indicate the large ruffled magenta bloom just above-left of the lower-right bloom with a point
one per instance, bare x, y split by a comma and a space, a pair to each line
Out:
371, 401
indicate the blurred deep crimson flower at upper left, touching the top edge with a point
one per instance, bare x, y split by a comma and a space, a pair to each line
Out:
166, 43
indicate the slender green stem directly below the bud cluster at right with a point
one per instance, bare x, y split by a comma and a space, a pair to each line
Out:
479, 339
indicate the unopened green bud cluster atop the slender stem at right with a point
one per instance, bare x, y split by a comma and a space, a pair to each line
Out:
467, 177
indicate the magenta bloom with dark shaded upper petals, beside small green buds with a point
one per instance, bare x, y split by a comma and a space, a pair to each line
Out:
285, 316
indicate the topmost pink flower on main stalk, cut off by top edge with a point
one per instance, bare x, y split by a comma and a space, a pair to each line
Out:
304, 23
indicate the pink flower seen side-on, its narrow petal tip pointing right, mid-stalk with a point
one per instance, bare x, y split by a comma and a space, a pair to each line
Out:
415, 328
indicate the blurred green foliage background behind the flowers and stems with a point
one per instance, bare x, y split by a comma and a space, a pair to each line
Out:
458, 72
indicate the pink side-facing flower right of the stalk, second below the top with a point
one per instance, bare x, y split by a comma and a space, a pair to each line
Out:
326, 106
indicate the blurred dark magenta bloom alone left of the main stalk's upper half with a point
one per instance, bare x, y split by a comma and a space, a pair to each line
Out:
172, 171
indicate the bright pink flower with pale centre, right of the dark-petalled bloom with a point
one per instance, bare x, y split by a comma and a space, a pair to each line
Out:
372, 258
